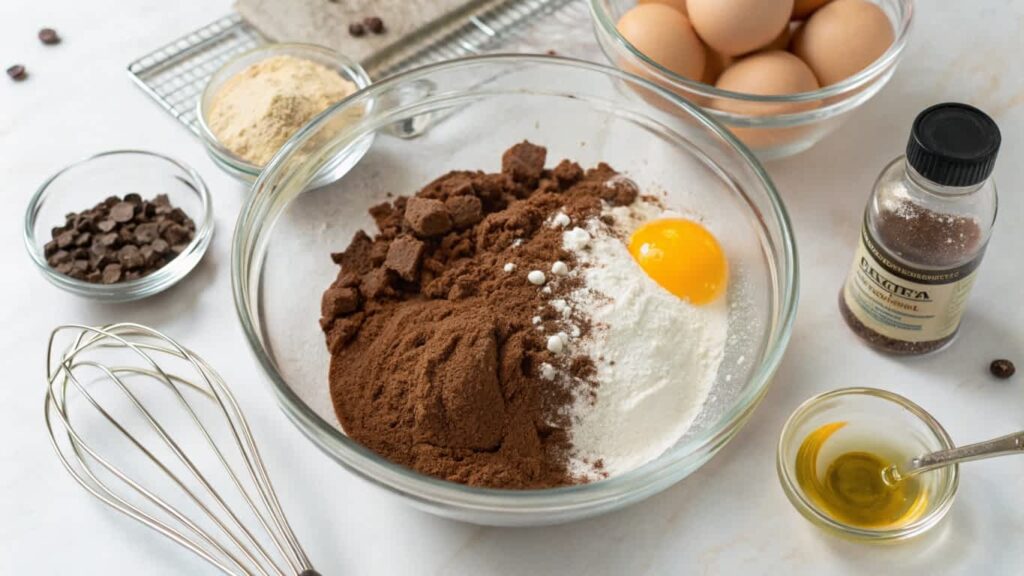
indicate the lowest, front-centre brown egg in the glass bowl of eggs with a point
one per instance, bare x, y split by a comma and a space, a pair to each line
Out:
773, 73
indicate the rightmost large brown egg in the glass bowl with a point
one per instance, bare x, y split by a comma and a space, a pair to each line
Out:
843, 38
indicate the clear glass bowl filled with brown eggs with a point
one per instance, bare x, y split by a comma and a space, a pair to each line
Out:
780, 74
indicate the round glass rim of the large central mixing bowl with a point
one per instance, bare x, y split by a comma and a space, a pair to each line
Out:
432, 490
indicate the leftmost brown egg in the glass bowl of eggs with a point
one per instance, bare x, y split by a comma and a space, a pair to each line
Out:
665, 35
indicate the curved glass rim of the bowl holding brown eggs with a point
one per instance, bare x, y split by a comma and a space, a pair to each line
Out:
846, 88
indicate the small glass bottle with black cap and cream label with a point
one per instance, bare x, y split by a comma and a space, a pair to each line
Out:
925, 233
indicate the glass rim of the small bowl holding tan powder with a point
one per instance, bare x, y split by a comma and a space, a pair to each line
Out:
229, 159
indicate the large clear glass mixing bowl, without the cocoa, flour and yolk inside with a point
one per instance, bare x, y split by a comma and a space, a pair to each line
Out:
462, 115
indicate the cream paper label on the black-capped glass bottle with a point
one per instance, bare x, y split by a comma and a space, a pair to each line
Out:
906, 303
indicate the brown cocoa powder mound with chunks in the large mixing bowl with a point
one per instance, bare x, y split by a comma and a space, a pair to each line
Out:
435, 358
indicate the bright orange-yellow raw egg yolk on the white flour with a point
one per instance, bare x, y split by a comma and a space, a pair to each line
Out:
684, 258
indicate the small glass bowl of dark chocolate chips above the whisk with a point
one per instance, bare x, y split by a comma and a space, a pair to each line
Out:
119, 226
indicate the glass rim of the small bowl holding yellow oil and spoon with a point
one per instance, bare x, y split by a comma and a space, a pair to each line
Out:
800, 502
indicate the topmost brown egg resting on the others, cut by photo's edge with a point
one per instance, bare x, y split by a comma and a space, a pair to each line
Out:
738, 27
